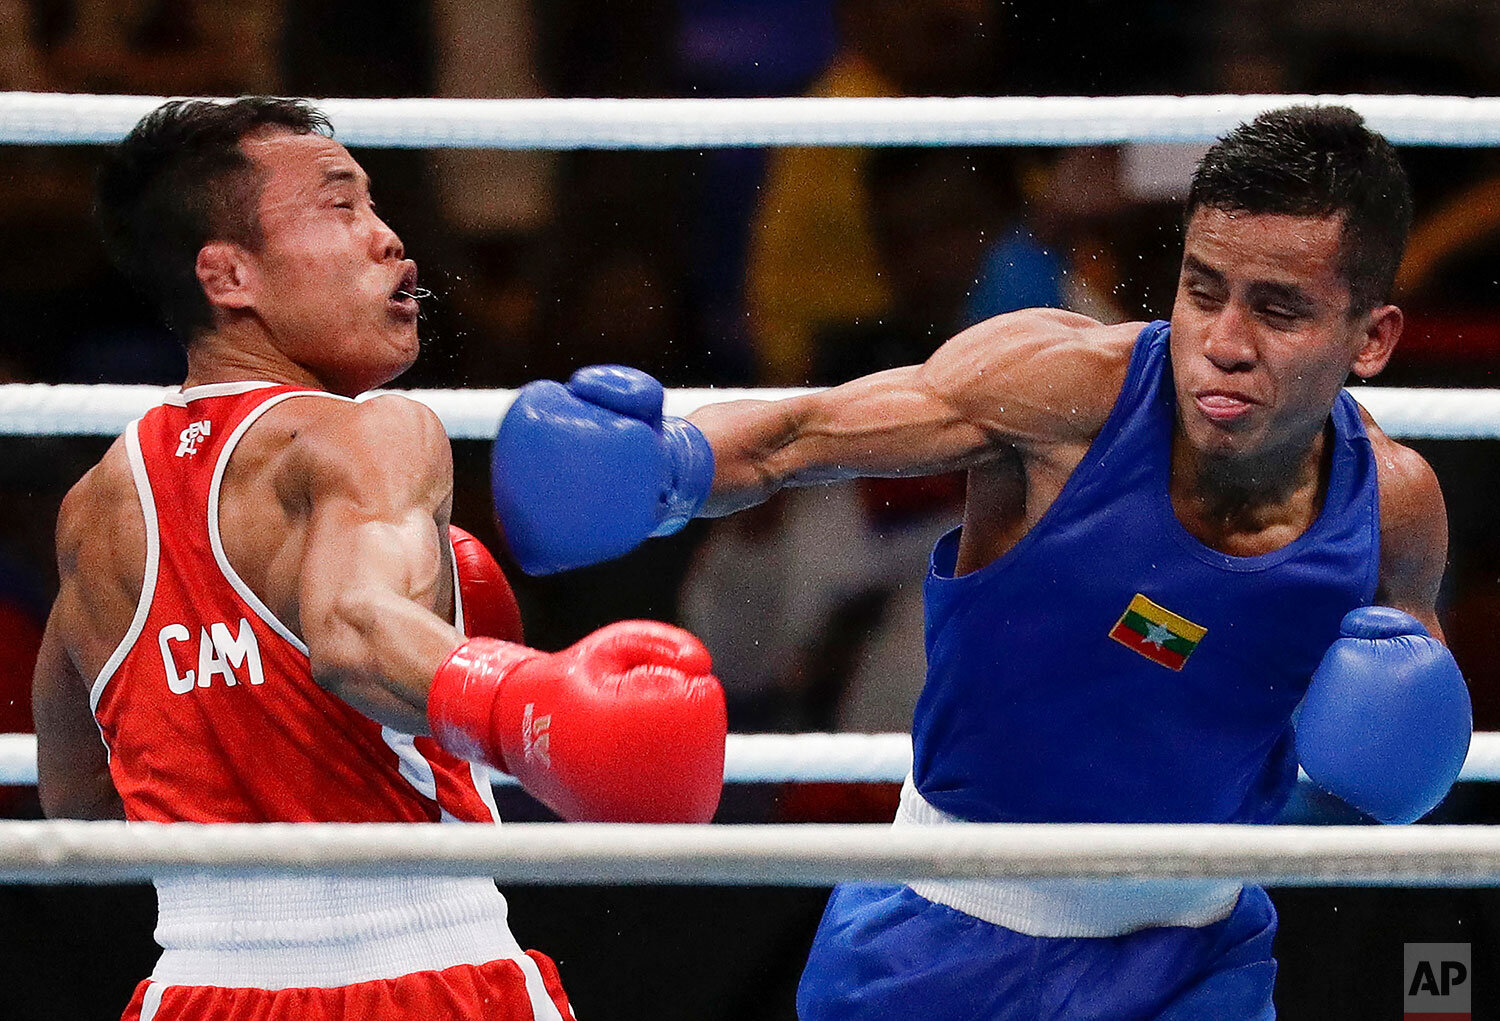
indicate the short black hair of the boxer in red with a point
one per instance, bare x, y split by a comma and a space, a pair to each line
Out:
181, 181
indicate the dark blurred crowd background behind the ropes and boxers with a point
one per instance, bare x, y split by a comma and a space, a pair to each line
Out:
749, 268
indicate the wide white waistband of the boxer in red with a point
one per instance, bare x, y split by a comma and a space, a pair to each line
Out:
325, 930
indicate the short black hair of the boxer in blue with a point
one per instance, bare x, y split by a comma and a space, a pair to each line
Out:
1318, 161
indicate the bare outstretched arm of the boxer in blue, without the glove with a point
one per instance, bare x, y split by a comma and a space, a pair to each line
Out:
1022, 380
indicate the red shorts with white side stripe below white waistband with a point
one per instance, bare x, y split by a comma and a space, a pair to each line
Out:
494, 992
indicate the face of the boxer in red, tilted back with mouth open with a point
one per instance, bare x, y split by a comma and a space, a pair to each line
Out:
328, 271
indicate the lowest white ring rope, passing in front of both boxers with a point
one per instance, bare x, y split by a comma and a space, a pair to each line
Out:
787, 855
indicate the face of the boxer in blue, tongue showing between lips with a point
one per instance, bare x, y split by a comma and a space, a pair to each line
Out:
1262, 334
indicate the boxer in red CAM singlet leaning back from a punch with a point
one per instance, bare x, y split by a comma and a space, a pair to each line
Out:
263, 611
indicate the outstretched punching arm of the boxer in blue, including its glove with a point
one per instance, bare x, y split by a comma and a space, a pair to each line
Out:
586, 472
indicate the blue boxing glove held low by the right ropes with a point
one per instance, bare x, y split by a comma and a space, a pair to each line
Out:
1387, 719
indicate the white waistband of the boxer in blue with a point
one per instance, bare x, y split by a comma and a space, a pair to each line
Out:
1069, 908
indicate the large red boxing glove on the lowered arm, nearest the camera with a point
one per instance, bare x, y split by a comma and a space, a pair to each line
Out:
625, 726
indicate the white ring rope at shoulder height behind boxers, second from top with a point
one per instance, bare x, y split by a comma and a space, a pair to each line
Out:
104, 410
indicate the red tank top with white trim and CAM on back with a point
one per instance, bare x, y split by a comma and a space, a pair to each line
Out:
208, 707
